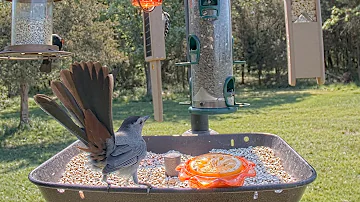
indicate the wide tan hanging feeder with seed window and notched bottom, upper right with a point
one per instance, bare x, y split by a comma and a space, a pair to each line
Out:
304, 40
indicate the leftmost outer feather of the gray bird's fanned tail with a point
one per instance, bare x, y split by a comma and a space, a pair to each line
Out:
53, 109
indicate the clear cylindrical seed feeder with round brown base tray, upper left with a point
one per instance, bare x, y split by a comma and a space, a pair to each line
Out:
31, 31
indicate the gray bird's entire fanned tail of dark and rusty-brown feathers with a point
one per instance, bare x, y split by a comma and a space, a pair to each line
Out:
86, 92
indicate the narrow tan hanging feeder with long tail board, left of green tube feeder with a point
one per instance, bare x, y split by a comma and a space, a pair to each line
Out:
154, 51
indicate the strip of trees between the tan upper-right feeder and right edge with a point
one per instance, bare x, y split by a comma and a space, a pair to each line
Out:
341, 31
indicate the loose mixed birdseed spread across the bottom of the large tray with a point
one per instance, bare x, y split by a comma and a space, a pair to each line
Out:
269, 170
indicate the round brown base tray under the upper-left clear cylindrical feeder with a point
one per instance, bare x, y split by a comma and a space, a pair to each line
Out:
32, 52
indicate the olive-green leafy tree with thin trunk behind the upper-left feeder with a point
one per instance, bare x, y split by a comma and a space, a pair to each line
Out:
88, 38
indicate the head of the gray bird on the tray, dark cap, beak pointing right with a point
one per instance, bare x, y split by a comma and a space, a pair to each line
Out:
133, 125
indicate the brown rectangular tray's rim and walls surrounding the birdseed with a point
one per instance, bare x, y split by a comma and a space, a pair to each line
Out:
47, 175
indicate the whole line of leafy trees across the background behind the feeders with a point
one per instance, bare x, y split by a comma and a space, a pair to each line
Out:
111, 32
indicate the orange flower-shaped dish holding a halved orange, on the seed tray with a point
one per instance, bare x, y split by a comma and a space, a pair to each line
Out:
215, 170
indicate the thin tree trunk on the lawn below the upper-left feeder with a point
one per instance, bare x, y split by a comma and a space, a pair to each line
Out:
24, 105
